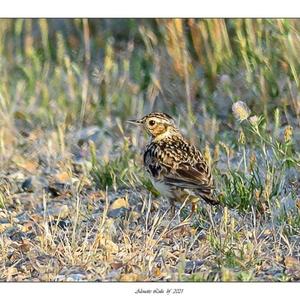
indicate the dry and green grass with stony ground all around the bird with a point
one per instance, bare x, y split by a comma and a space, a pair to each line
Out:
75, 203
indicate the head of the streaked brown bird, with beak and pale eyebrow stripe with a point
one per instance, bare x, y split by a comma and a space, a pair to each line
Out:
157, 124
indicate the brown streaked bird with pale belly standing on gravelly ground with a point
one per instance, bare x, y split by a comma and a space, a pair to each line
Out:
177, 168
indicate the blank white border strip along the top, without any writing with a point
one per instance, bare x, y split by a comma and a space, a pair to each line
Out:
150, 8
